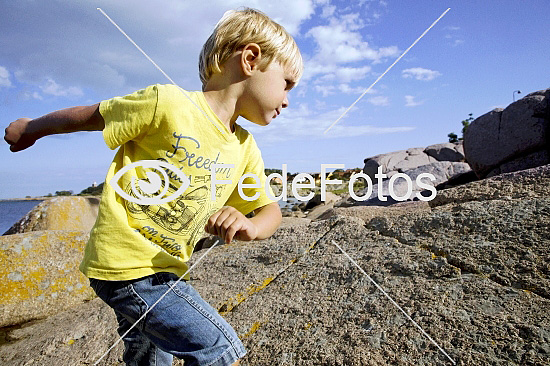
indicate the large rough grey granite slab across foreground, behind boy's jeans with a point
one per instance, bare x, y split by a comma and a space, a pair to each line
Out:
474, 274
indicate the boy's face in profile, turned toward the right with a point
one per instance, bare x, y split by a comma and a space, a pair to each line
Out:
266, 94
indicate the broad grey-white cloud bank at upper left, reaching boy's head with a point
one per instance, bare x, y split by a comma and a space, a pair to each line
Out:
87, 51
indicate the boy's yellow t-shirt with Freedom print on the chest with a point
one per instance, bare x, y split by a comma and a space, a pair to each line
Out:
130, 240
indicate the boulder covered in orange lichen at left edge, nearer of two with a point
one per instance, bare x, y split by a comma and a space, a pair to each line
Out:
39, 274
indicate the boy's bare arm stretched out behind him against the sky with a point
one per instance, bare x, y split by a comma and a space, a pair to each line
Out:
23, 132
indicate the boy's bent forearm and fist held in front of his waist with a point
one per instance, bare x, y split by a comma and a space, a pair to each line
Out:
228, 223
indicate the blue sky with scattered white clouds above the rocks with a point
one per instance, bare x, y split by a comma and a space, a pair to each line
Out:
58, 54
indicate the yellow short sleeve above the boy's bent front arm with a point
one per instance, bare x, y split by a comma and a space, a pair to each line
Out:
254, 166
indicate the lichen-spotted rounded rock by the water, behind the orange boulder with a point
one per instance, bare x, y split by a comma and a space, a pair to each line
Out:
59, 213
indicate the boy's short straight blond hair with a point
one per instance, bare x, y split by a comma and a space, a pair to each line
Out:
236, 29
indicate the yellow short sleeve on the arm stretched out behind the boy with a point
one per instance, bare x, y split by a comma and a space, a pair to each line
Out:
129, 117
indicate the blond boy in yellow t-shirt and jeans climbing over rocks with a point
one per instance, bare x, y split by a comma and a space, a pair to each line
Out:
137, 250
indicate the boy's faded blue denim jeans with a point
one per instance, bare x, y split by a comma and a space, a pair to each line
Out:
181, 324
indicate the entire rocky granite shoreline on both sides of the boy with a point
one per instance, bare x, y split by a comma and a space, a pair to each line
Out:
471, 267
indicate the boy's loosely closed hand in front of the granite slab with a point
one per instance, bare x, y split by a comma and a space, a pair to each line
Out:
229, 223
